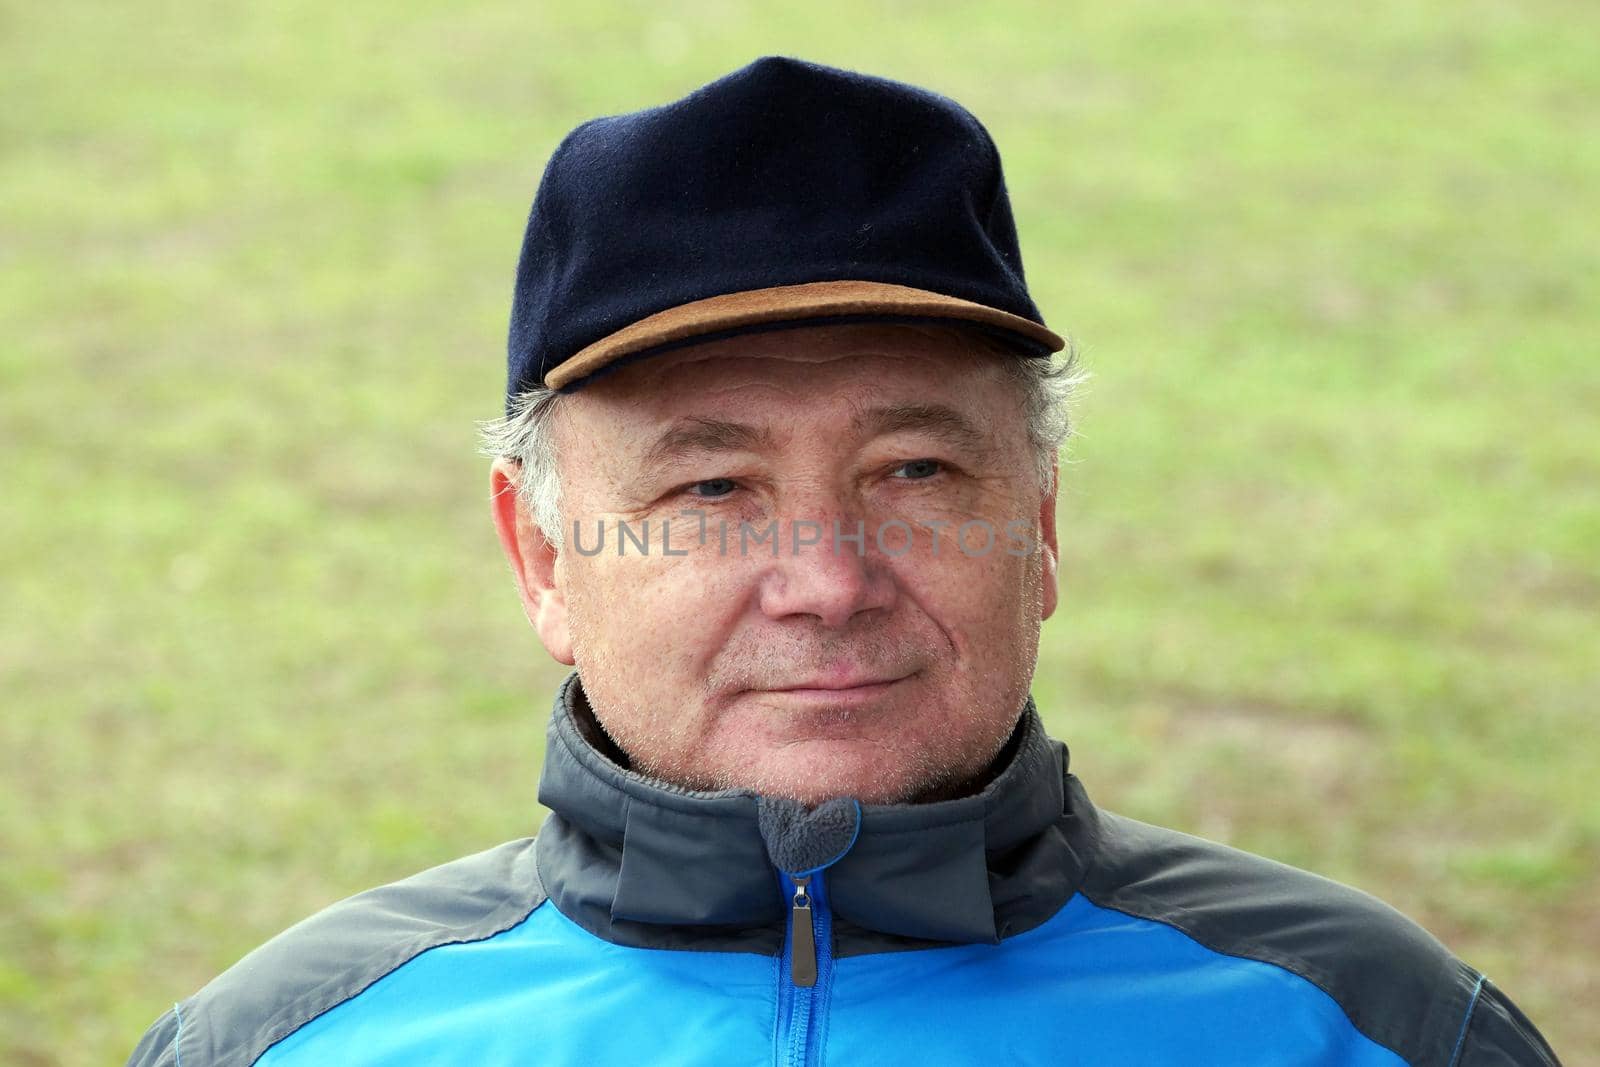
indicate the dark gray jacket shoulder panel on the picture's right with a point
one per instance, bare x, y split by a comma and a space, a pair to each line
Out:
1394, 981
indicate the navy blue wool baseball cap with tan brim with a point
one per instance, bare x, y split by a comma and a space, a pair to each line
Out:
782, 194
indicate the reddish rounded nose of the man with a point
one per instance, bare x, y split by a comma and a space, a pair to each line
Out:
831, 578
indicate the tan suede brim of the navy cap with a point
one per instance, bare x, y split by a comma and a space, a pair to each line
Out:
790, 303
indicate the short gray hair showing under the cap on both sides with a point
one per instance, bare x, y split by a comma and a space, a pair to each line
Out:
527, 434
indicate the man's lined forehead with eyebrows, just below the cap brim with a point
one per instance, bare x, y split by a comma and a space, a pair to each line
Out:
831, 390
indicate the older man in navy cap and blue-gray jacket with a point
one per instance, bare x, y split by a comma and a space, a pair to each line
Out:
778, 478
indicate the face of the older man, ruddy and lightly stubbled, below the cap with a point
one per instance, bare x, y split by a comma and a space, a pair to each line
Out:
878, 671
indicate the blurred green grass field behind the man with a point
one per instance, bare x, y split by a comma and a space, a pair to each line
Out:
1332, 532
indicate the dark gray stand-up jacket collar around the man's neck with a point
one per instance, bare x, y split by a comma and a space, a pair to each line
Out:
646, 863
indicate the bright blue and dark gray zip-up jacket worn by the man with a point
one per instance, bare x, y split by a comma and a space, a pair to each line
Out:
1020, 925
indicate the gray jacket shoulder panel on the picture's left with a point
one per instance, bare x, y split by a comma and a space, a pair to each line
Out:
334, 956
